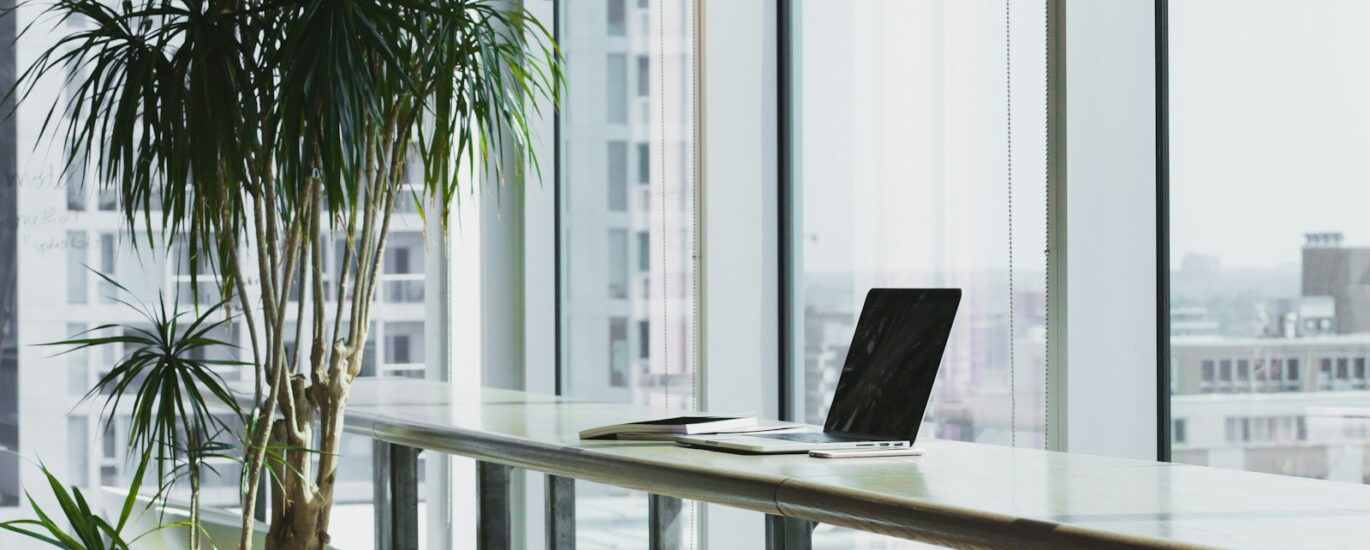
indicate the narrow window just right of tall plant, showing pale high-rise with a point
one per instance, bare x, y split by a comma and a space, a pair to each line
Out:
628, 224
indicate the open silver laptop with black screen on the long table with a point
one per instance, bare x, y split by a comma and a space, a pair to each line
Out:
886, 383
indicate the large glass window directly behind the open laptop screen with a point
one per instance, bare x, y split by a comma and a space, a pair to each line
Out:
919, 160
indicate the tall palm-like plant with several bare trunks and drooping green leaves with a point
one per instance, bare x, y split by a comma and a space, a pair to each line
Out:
287, 121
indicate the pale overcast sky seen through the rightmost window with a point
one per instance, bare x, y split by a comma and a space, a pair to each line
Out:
1271, 127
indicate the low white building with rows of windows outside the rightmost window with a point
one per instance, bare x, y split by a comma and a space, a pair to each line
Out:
1293, 407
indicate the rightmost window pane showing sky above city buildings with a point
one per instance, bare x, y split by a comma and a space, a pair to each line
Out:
1280, 290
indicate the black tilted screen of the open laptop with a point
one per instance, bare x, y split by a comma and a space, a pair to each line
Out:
893, 363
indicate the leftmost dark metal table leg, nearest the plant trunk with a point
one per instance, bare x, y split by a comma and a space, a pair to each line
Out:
397, 492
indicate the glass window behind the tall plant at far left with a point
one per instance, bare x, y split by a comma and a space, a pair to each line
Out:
57, 231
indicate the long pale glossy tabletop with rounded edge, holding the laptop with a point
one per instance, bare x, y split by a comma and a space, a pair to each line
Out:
957, 493
